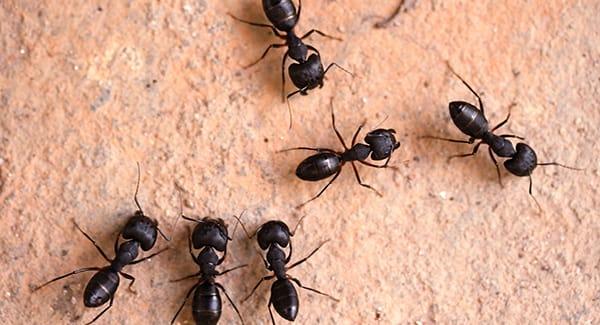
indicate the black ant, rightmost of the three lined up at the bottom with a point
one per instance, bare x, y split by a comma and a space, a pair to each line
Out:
273, 236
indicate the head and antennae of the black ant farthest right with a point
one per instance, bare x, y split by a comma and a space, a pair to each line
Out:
524, 161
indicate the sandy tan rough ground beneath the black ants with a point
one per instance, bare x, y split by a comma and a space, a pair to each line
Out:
88, 89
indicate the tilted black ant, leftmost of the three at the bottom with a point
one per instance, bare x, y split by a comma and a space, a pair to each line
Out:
139, 232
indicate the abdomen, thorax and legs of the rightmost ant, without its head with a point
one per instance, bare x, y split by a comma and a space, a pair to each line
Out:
472, 122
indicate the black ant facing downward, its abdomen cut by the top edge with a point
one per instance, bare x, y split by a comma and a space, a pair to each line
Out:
305, 73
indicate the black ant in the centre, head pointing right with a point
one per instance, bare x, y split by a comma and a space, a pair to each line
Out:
381, 143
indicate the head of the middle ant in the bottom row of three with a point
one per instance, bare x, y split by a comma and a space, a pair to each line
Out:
212, 233
